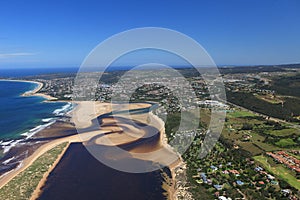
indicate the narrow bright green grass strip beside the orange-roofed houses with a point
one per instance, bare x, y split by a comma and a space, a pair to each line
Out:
280, 171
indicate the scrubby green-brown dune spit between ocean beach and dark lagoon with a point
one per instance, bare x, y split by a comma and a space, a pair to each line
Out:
22, 186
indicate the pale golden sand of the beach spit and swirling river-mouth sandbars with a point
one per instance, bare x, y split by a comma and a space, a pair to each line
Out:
119, 131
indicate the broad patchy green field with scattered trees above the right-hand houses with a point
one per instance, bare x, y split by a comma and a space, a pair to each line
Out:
262, 134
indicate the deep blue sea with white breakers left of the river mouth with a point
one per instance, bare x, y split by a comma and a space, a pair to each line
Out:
21, 117
